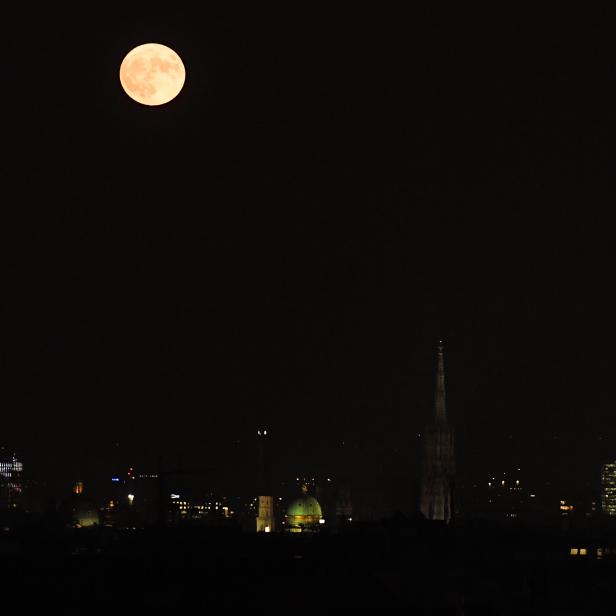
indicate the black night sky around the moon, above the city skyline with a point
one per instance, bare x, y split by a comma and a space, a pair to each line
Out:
332, 191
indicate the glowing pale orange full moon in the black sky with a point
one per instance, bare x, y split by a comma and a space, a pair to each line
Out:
152, 74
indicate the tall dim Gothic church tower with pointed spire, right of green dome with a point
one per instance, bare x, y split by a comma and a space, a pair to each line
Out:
438, 462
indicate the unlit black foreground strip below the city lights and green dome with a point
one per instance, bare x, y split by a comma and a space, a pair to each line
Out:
410, 566
